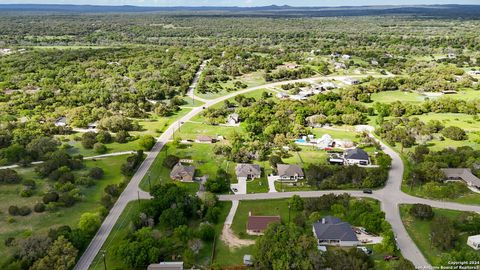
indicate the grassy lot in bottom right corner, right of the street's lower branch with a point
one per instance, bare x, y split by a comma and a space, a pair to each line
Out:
419, 231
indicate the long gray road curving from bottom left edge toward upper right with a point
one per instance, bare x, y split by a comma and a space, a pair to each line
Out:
132, 190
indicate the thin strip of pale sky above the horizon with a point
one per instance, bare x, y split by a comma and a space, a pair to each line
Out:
242, 2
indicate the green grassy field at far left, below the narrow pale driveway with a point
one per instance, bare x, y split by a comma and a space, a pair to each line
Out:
20, 227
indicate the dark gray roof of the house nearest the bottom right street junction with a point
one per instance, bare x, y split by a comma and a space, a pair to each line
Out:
332, 228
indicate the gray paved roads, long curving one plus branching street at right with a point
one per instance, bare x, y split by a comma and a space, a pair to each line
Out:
390, 196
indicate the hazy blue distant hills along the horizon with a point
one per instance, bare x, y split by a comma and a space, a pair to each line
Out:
452, 11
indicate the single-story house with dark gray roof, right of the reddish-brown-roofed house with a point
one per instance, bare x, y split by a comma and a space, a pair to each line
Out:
332, 231
